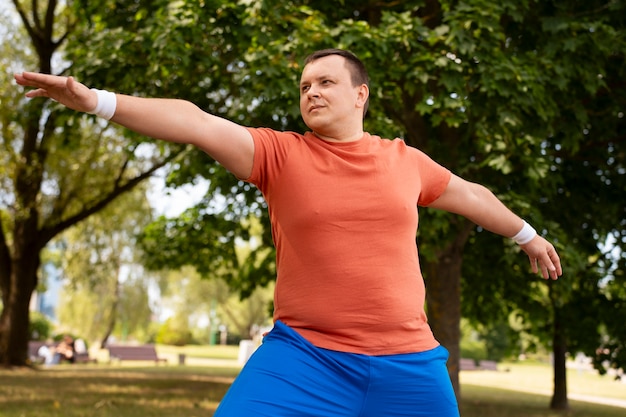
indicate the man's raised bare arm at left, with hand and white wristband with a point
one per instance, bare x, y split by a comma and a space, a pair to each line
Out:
171, 120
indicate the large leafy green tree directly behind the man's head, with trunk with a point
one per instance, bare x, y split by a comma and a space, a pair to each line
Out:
478, 85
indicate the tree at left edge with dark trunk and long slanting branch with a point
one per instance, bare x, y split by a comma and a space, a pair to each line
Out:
54, 173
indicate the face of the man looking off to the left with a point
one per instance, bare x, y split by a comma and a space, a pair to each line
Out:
329, 101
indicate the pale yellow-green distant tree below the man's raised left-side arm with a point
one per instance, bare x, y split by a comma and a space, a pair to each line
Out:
103, 278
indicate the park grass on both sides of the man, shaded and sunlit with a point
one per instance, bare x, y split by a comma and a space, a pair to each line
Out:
150, 390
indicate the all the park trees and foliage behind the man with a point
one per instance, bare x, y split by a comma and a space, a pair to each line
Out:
526, 97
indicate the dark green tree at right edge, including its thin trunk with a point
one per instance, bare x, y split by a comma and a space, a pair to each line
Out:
583, 194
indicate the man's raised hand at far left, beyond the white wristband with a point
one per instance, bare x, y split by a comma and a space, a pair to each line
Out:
65, 90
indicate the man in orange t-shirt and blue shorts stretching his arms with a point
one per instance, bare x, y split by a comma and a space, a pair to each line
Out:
350, 335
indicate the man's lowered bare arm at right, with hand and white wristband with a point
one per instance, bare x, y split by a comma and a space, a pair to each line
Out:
481, 206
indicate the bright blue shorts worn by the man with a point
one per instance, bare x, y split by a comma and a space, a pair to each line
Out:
288, 376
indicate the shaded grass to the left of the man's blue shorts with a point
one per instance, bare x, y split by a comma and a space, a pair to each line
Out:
110, 392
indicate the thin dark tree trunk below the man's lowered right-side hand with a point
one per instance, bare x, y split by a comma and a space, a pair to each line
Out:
559, 352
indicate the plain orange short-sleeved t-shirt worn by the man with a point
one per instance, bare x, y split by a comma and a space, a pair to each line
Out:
344, 220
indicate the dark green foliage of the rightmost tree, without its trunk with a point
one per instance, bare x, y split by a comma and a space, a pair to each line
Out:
573, 191
